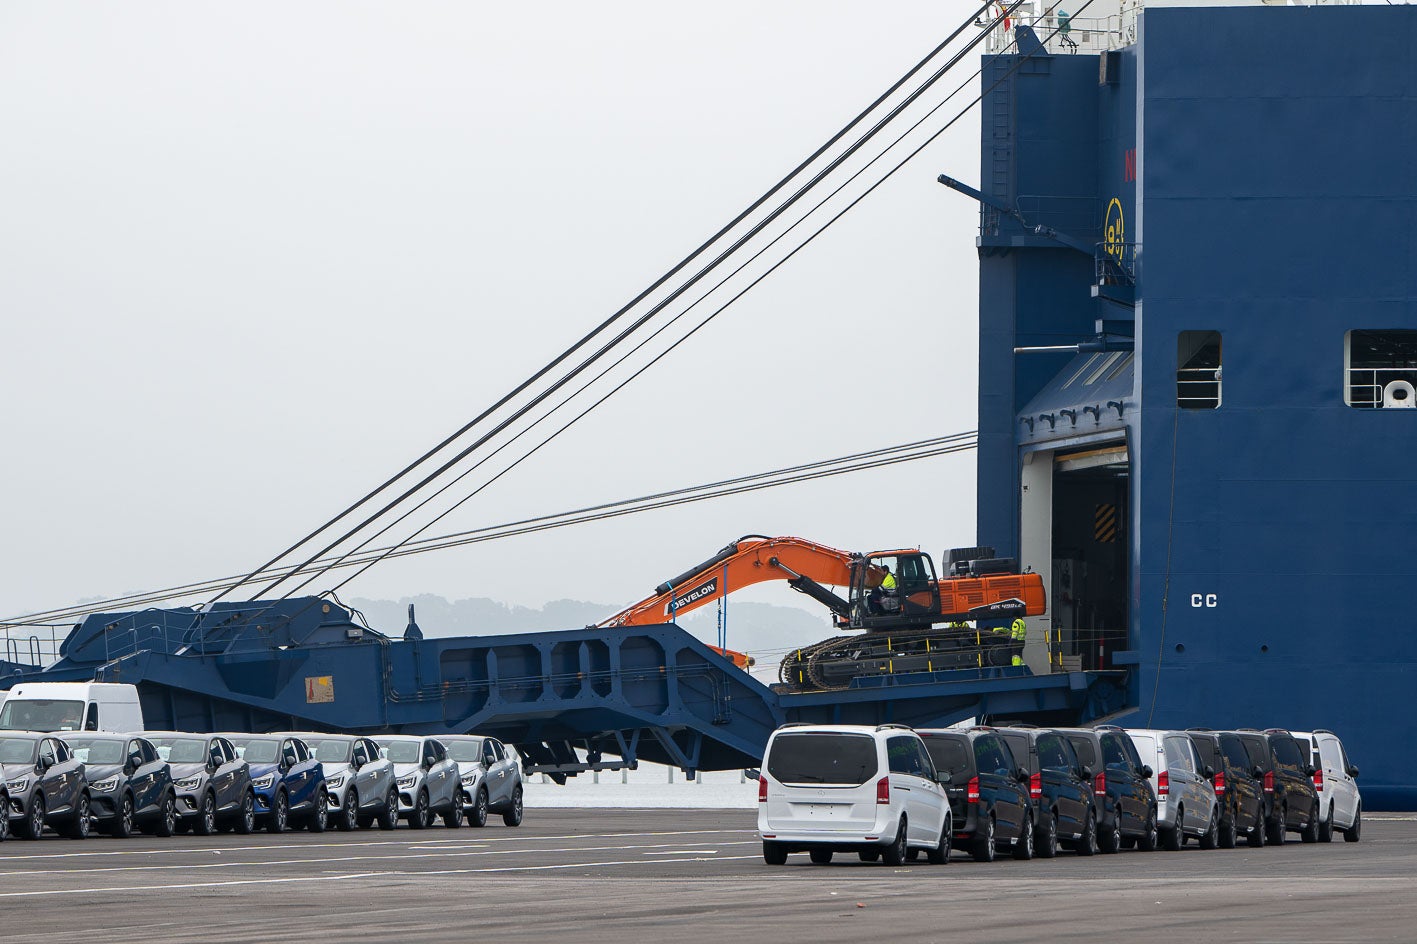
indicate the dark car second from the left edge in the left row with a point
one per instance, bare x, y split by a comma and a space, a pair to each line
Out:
130, 786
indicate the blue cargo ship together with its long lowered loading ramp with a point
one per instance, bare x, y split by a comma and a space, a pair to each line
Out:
1198, 359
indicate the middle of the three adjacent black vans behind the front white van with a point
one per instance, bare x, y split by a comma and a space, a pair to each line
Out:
1061, 790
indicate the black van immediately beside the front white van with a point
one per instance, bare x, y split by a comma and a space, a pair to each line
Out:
988, 792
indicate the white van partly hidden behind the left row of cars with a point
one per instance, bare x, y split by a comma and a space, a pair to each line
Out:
73, 707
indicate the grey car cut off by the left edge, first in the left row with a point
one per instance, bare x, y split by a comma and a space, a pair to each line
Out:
46, 783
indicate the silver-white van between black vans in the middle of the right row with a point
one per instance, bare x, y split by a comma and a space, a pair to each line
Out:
1185, 797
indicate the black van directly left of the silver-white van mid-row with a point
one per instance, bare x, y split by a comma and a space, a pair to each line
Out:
1123, 799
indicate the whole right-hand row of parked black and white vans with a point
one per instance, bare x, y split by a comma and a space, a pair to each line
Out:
892, 793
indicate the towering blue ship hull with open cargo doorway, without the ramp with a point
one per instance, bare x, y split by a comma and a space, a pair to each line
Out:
1198, 318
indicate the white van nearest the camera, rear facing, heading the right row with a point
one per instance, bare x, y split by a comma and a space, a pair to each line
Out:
858, 789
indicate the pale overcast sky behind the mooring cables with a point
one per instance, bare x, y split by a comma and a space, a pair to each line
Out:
259, 257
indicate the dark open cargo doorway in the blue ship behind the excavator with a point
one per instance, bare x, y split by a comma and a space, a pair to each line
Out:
1090, 558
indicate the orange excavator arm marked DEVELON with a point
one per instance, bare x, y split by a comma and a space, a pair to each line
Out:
806, 566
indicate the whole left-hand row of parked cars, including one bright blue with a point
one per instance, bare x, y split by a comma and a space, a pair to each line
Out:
165, 783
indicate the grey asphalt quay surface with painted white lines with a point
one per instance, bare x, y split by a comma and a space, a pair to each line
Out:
631, 875
